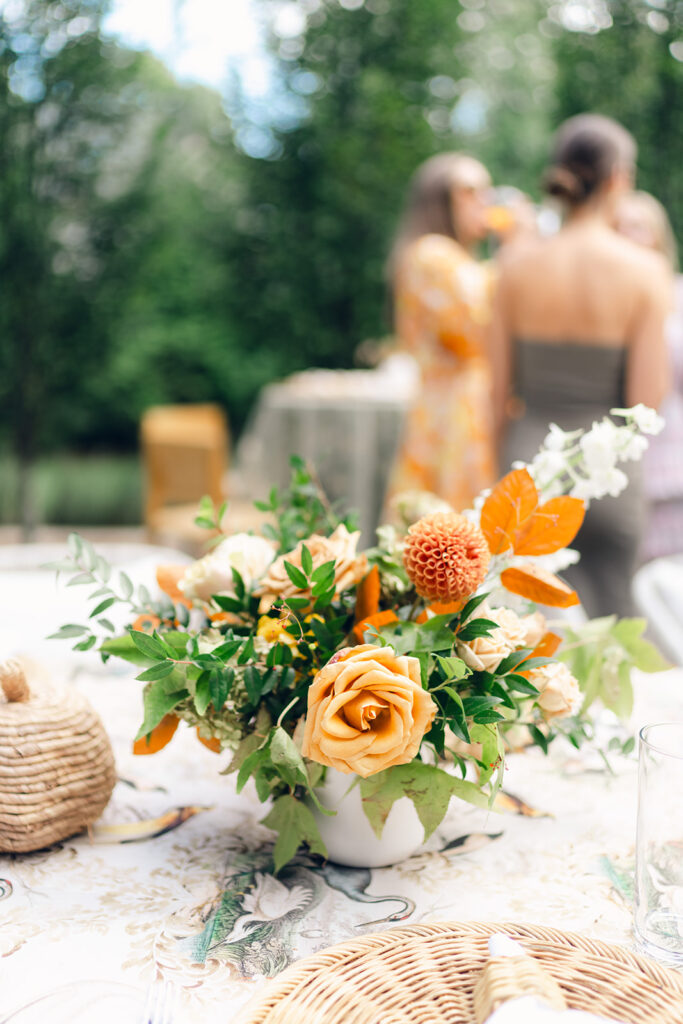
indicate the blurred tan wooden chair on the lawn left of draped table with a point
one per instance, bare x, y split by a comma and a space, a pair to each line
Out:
185, 456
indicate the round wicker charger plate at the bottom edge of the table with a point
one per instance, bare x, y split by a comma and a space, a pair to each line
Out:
426, 974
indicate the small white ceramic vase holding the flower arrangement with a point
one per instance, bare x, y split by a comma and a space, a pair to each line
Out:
349, 835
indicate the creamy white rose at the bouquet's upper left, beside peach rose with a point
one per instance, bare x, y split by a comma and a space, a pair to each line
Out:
250, 556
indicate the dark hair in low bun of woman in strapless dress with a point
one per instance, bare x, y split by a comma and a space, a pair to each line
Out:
588, 150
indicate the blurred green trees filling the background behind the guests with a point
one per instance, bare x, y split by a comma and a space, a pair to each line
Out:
160, 242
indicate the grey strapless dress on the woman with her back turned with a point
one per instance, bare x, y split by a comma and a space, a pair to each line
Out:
573, 386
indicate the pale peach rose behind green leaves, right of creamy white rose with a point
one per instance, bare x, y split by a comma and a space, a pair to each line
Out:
339, 547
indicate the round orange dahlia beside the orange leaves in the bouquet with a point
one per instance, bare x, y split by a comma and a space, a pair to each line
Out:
446, 557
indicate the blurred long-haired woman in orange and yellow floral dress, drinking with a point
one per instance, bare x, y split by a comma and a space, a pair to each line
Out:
442, 310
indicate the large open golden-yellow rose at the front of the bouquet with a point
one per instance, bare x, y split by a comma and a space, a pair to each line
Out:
367, 711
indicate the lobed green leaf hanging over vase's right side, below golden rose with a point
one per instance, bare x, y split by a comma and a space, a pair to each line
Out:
430, 788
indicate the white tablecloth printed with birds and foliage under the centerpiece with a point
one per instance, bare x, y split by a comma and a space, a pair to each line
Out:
176, 880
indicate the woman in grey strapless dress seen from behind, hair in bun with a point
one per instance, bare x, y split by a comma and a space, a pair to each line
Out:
579, 330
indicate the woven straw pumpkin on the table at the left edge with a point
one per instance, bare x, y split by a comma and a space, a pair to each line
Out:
57, 765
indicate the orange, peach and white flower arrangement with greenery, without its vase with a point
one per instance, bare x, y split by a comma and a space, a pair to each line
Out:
412, 667
